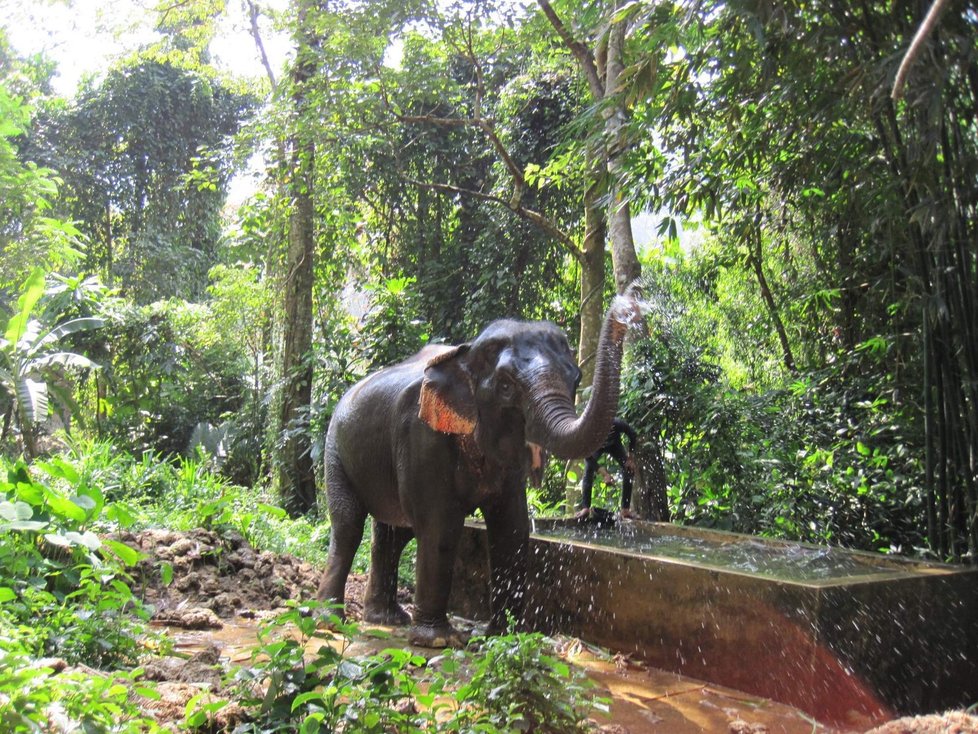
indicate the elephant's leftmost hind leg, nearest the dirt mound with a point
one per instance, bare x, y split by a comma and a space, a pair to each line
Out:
347, 516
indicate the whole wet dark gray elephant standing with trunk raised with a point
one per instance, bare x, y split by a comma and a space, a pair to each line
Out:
422, 444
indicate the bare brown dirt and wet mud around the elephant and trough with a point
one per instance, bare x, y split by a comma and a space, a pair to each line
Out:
221, 588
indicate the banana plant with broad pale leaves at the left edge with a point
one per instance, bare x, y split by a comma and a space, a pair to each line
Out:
30, 358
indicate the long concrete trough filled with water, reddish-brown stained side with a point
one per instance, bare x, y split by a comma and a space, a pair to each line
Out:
851, 638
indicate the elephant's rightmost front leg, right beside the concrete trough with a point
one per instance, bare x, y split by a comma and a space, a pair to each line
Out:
508, 528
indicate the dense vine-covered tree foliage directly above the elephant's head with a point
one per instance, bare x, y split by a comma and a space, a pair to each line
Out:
451, 231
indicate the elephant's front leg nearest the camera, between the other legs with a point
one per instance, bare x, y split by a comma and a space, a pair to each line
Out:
438, 539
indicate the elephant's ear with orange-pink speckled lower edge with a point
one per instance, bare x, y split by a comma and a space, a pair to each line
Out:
447, 401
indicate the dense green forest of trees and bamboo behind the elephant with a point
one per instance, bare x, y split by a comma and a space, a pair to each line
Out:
810, 368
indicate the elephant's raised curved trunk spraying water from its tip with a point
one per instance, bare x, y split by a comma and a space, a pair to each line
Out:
568, 435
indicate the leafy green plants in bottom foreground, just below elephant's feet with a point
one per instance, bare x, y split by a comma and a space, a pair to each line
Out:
506, 683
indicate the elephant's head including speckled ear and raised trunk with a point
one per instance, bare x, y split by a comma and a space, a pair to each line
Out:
514, 387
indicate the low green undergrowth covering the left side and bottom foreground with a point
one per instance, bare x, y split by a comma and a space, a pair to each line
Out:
72, 632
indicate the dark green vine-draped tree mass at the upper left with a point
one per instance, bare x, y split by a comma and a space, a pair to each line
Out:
148, 194
